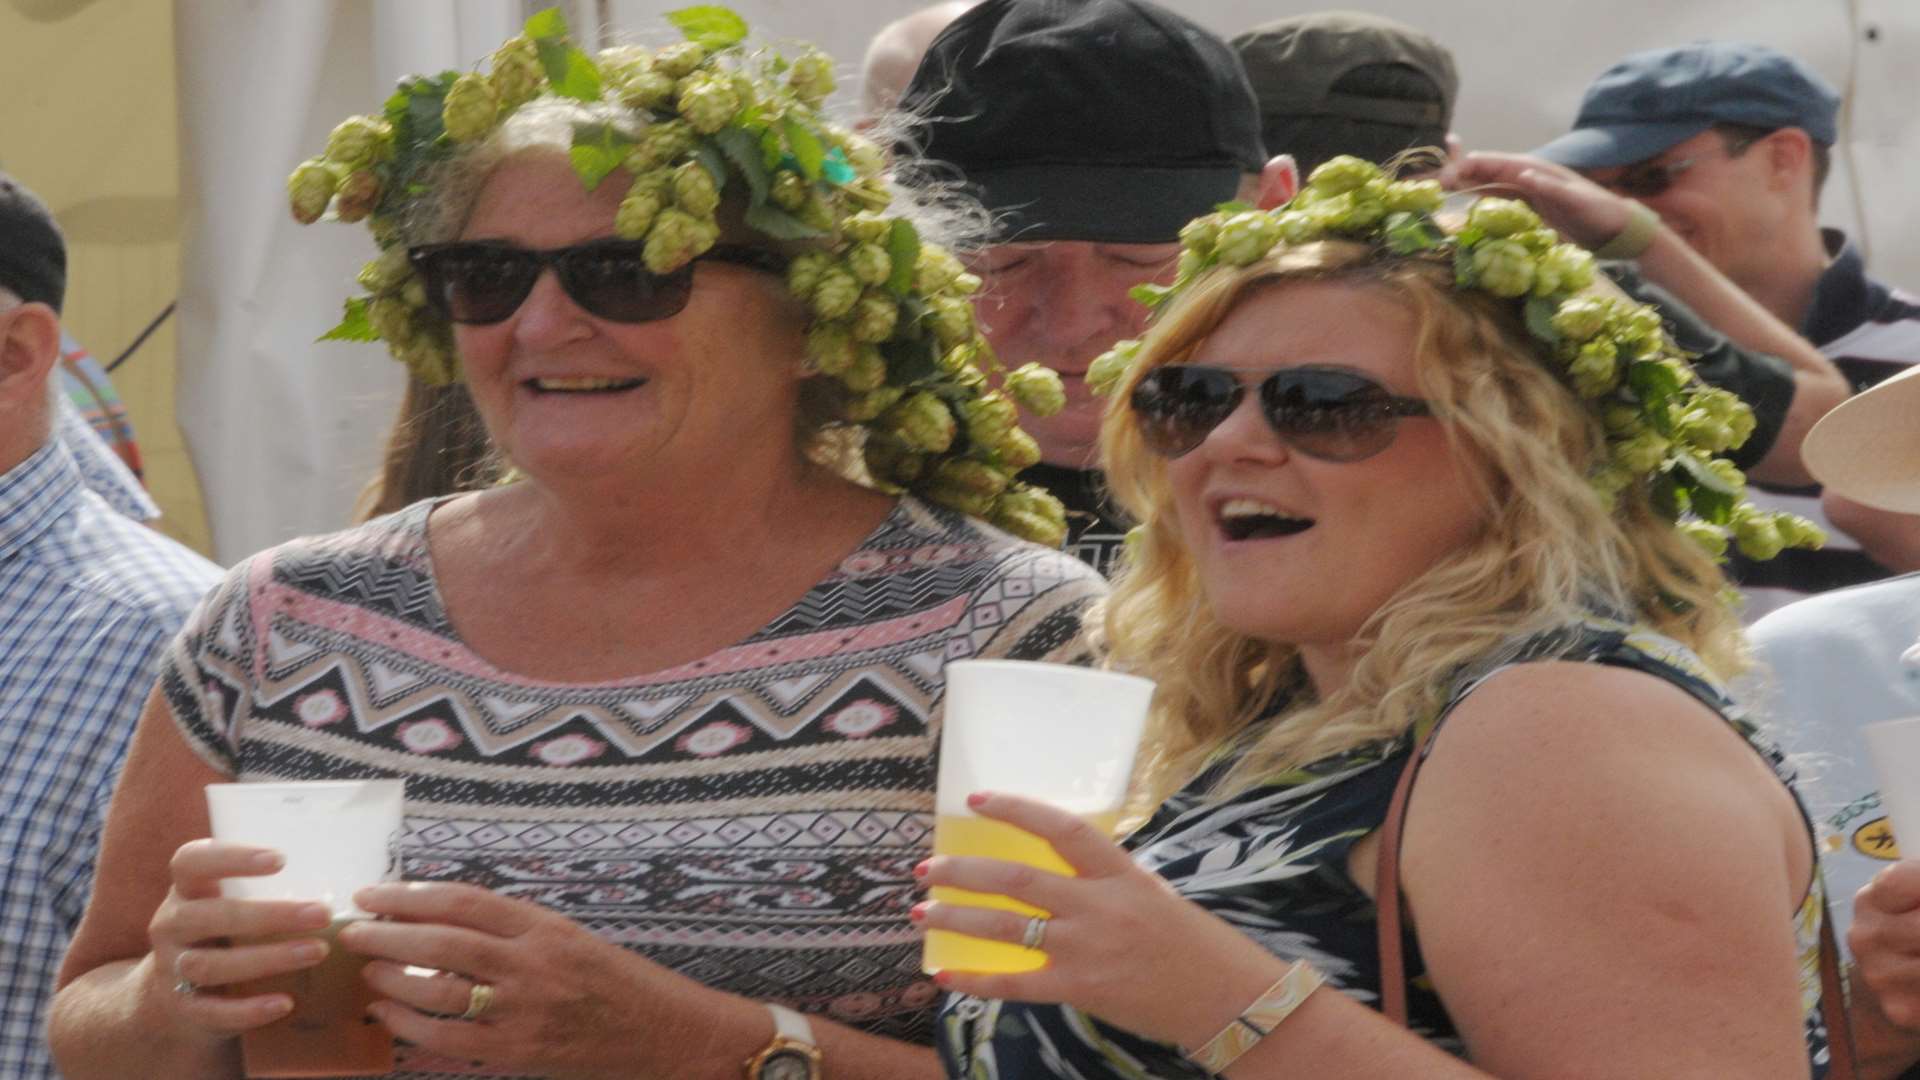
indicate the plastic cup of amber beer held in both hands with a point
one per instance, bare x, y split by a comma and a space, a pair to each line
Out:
337, 837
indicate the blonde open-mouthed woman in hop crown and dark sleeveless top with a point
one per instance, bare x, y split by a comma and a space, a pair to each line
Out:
1410, 495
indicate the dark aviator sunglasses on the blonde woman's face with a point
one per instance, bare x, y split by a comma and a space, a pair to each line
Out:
1322, 412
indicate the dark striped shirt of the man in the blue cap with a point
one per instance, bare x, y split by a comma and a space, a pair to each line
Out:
1871, 333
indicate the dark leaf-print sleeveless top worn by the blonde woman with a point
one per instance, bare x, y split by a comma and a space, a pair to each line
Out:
1272, 862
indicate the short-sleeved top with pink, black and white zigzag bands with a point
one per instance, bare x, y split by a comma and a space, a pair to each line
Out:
748, 820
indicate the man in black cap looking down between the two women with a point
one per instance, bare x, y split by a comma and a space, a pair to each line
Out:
1093, 130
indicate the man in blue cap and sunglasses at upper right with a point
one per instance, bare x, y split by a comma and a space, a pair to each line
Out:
1729, 145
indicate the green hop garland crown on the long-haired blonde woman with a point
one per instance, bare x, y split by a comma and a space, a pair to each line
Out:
1666, 428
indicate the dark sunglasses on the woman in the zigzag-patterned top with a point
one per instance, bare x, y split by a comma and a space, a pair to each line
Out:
487, 282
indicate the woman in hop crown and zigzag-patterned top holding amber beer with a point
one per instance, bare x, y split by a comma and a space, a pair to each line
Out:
665, 702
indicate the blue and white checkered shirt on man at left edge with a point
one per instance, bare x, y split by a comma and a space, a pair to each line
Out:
89, 602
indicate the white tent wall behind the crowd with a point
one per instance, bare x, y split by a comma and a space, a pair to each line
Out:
285, 431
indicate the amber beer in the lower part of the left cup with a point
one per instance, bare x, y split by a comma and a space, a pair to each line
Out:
329, 1031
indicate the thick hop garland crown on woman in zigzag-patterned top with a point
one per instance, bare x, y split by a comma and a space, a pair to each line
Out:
892, 314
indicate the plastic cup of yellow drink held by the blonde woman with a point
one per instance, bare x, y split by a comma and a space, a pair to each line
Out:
1053, 733
